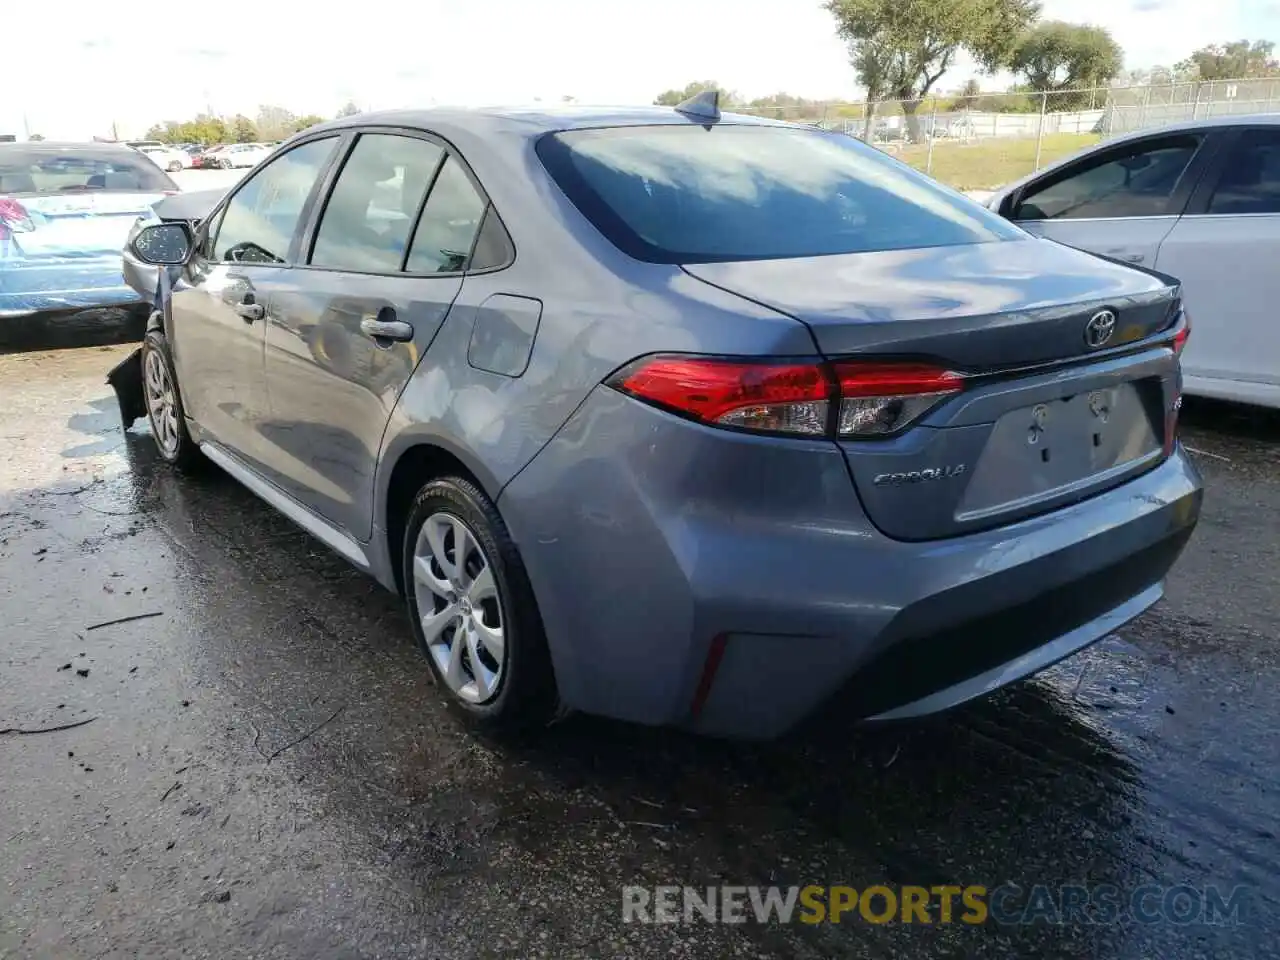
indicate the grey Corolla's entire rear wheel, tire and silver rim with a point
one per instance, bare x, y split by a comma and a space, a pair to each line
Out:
473, 609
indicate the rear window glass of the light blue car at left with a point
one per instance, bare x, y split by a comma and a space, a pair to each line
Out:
25, 171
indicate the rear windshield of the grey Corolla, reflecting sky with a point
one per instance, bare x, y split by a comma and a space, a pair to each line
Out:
687, 195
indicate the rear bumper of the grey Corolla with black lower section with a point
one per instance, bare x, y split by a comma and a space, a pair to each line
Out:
647, 538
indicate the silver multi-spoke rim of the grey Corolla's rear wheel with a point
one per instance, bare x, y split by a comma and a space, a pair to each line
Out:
460, 606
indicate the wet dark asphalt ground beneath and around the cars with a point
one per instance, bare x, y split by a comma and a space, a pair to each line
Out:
268, 771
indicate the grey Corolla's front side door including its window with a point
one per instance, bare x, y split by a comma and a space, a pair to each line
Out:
221, 301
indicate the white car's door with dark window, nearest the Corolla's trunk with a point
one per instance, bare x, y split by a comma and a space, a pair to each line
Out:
1121, 203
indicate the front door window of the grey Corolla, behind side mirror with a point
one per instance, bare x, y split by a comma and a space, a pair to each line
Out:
259, 222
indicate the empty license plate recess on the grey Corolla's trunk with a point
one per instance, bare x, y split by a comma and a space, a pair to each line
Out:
1058, 447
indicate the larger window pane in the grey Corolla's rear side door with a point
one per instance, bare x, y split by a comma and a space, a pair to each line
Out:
368, 221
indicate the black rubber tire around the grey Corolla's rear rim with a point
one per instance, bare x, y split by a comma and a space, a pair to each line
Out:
525, 697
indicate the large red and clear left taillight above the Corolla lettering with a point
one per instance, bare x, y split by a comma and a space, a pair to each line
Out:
875, 400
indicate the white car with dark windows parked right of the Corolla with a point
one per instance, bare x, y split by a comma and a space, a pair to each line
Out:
1200, 202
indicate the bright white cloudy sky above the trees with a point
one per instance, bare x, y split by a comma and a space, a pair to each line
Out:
76, 72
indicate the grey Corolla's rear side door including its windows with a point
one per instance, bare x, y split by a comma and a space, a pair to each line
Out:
387, 258
